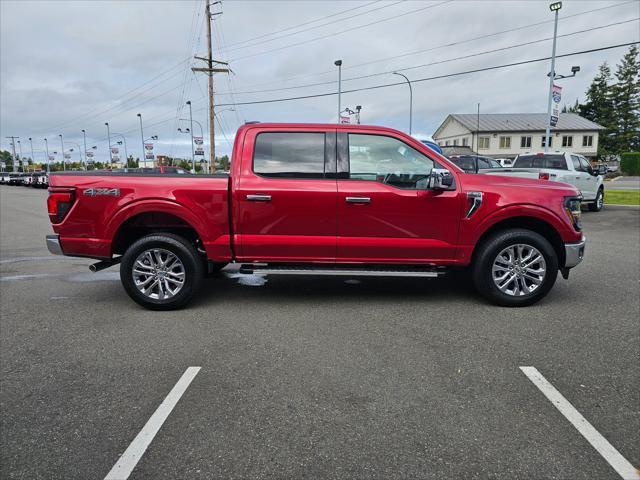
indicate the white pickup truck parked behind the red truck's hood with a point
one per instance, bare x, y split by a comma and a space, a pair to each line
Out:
559, 167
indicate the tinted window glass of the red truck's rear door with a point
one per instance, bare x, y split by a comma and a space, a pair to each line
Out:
289, 154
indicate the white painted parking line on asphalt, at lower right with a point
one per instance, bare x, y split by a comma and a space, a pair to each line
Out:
597, 441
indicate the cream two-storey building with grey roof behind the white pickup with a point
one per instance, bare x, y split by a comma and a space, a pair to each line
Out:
505, 135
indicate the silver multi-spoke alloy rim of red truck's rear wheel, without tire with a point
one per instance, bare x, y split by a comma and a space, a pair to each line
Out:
158, 274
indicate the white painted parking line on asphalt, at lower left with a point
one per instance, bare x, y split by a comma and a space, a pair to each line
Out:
132, 455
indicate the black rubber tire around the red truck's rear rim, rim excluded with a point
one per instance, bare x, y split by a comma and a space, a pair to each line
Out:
178, 246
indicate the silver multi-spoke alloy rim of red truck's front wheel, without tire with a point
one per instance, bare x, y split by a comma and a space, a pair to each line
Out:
519, 270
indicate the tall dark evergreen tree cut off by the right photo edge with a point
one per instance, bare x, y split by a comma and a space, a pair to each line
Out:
626, 101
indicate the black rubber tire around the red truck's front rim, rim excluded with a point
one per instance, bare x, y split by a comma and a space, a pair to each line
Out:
488, 252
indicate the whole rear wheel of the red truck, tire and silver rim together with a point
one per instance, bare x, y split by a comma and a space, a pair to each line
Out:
161, 271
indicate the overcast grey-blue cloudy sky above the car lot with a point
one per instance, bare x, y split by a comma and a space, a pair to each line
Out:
72, 65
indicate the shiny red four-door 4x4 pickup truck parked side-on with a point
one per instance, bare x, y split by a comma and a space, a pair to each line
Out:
322, 200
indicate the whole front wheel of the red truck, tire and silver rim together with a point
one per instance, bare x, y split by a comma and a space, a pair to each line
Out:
515, 268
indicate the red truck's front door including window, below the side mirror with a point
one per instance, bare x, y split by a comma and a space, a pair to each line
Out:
385, 212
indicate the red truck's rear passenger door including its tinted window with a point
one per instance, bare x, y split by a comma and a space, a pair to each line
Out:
286, 196
